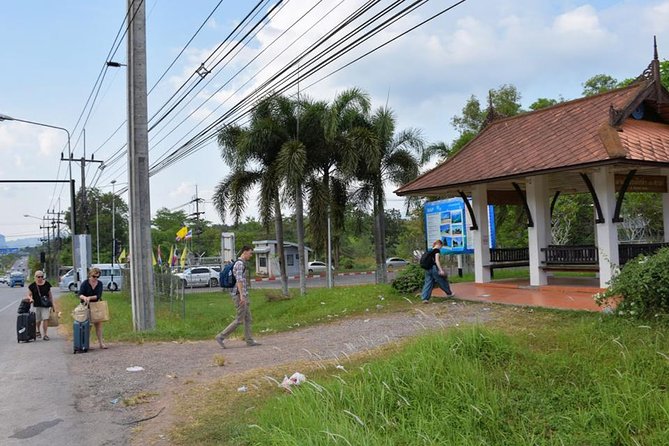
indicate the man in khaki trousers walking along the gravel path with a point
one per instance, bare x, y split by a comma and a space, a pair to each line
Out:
240, 297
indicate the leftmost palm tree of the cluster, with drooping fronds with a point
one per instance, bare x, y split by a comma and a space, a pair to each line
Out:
252, 154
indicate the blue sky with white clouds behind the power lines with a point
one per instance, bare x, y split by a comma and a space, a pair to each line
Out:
53, 72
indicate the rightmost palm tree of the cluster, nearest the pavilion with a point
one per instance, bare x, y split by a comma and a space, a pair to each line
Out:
399, 159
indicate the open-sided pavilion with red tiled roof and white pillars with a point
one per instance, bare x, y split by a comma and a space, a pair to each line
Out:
604, 145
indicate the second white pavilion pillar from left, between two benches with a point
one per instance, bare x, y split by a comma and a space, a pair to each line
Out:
537, 236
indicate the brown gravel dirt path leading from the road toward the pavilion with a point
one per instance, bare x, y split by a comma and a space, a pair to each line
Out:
167, 366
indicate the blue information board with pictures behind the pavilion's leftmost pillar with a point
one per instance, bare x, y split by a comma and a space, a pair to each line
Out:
447, 220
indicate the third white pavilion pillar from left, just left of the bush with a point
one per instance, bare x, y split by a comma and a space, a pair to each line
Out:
607, 232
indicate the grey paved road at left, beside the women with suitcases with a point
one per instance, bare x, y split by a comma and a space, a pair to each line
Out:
38, 405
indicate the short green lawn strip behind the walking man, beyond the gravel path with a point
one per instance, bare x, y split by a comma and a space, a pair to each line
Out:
208, 313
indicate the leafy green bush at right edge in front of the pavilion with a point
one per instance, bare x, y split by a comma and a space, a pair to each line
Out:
642, 287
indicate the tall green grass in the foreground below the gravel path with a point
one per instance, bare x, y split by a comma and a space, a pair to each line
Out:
540, 378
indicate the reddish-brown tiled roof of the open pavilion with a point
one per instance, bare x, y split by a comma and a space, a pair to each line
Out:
566, 135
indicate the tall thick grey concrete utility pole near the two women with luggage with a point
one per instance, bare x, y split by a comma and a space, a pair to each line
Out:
141, 273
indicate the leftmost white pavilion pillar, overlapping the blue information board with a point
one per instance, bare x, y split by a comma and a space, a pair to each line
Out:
481, 237
